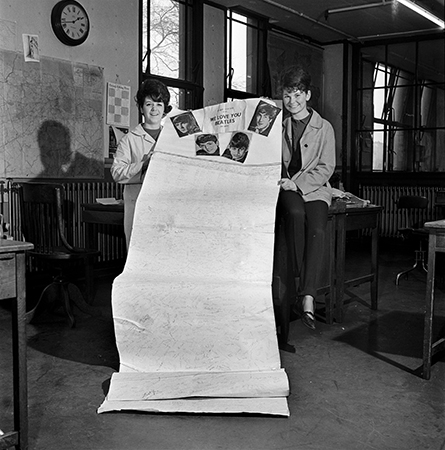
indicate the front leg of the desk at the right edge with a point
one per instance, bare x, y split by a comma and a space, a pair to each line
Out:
429, 307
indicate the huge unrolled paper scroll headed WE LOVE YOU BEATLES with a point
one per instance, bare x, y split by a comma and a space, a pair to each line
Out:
193, 309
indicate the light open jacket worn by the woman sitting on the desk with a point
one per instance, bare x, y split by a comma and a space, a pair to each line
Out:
317, 158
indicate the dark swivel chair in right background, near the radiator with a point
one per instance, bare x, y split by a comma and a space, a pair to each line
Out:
414, 205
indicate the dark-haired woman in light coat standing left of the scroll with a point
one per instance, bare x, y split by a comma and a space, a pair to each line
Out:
135, 148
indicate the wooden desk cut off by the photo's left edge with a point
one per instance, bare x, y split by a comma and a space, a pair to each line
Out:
13, 286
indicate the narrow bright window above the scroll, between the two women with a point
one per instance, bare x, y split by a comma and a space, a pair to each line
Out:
246, 56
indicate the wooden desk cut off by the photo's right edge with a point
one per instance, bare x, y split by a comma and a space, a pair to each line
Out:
436, 244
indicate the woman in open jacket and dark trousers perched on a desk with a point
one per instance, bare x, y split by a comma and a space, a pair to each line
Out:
308, 161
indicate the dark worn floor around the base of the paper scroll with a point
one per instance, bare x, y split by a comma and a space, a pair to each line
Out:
354, 385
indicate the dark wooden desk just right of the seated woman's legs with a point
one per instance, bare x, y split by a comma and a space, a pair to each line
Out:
356, 218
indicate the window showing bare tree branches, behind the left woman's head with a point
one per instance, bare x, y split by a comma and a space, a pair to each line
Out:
171, 48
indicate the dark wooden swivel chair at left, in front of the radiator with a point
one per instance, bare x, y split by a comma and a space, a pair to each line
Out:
44, 224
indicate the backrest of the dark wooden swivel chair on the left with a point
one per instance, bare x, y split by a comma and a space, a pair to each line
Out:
41, 210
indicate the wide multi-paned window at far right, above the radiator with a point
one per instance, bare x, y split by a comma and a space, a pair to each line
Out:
401, 124
